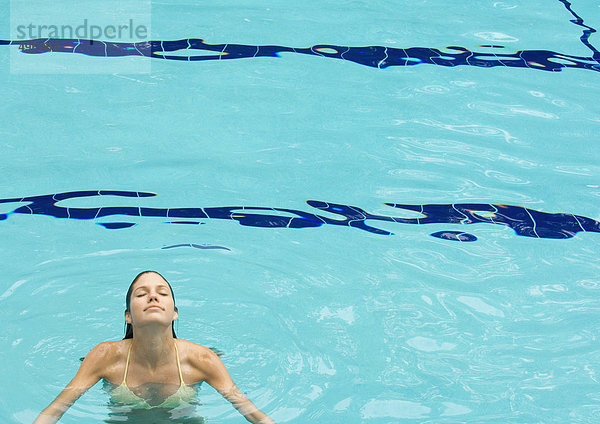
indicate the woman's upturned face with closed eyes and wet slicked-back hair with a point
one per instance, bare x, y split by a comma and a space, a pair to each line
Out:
150, 302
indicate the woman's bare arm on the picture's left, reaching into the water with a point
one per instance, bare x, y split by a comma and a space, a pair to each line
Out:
88, 374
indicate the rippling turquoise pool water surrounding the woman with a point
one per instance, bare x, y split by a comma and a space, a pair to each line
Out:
325, 323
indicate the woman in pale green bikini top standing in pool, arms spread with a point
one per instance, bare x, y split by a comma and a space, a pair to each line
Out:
150, 368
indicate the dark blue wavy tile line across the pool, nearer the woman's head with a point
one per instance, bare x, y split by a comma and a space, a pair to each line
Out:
524, 221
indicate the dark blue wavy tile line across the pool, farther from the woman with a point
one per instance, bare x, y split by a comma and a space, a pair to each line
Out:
373, 56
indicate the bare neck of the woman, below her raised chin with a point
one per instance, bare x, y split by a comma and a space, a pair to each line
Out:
153, 348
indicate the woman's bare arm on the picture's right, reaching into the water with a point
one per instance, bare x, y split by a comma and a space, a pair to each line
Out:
217, 376
